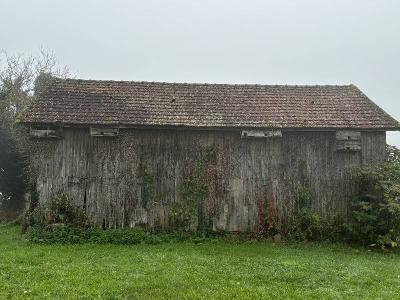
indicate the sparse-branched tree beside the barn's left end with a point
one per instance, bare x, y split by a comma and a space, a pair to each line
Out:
22, 79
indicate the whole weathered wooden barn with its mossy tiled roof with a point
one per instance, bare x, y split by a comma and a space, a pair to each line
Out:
214, 156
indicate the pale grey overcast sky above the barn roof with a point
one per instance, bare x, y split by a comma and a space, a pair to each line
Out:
222, 41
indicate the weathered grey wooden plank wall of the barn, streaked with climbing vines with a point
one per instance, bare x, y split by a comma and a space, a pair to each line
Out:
146, 177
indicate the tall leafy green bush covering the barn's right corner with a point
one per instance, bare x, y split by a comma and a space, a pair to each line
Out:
375, 209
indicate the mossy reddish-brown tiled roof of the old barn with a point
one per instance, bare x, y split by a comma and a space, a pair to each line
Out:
73, 101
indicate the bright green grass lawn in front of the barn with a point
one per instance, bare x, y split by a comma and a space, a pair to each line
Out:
190, 271
